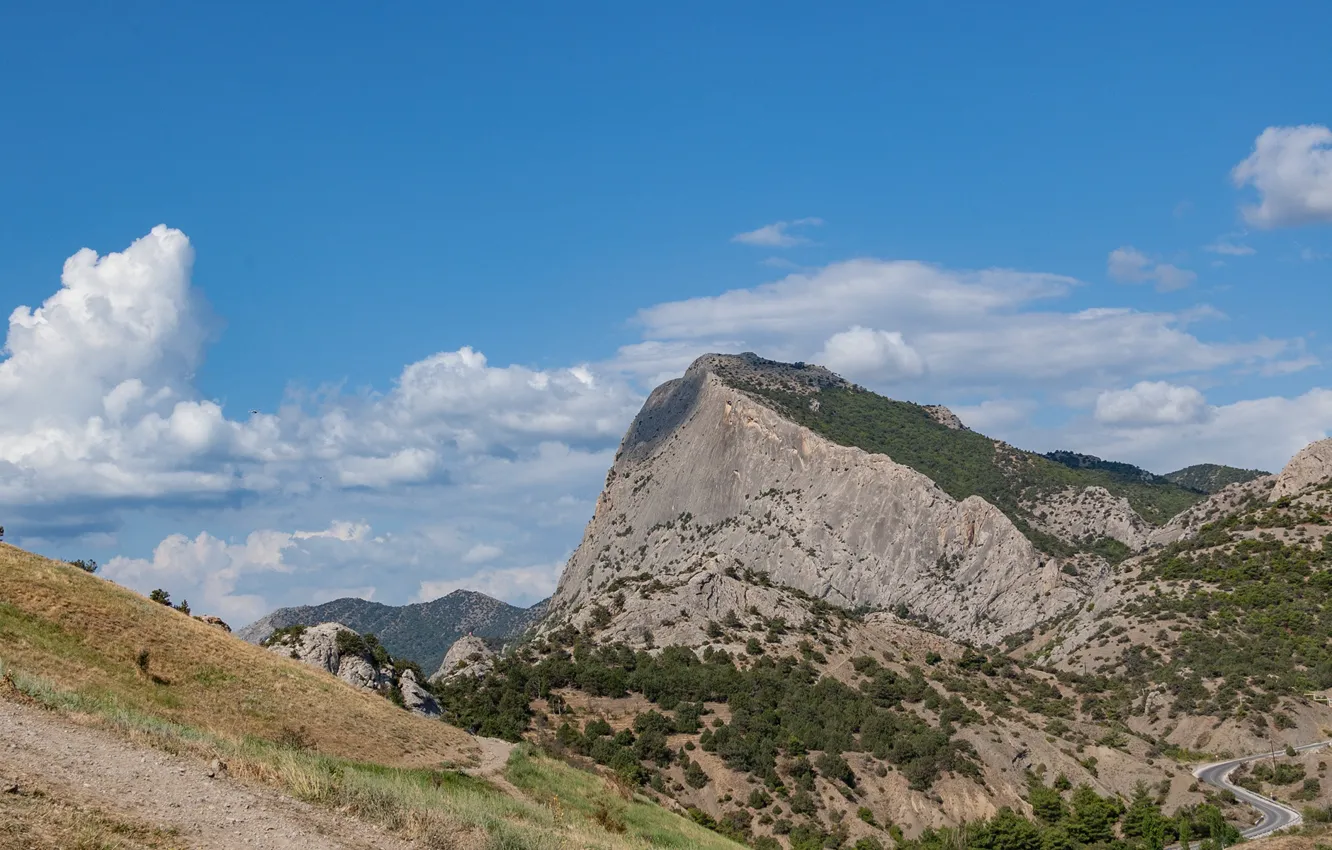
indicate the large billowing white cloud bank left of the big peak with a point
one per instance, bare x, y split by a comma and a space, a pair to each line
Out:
98, 404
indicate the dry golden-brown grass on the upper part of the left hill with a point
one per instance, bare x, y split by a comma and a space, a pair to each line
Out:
86, 635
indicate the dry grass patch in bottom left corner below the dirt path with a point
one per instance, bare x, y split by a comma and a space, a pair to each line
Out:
50, 817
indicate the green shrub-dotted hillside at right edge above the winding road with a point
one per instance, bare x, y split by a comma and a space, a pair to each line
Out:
1239, 619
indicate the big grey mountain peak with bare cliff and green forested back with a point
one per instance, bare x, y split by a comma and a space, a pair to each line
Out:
748, 479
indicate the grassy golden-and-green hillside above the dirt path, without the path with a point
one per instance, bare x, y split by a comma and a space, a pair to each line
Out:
73, 641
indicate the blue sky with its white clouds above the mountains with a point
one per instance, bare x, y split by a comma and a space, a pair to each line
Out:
444, 255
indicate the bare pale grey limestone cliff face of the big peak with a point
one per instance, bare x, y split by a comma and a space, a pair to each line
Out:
712, 491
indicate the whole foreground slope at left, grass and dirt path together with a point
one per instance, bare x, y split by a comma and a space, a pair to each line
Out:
101, 656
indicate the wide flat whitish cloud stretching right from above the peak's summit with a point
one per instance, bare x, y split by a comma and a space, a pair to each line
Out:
974, 331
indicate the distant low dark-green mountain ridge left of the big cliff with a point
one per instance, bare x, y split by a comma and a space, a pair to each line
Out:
422, 632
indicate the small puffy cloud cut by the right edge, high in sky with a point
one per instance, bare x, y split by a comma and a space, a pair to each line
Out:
1291, 170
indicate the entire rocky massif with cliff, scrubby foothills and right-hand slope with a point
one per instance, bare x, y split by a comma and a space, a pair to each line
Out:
809, 616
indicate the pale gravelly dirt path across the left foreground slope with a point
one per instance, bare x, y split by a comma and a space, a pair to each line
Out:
163, 791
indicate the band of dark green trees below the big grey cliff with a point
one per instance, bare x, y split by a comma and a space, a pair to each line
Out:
779, 708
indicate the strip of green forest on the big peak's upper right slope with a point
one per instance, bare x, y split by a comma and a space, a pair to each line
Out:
965, 463
